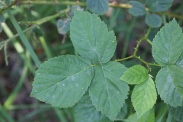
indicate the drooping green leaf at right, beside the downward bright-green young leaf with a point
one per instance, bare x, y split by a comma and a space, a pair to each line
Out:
167, 89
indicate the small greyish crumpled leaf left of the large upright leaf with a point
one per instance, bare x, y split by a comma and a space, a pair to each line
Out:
63, 26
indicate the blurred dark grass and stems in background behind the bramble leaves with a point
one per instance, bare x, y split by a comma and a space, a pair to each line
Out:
39, 26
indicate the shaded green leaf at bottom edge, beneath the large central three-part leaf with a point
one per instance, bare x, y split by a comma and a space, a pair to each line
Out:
84, 111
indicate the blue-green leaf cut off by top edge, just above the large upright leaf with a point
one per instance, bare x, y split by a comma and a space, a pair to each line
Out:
97, 6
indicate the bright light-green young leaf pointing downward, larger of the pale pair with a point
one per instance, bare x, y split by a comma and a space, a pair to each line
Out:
144, 97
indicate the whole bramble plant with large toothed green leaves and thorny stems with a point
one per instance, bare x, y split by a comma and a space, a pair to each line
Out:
96, 85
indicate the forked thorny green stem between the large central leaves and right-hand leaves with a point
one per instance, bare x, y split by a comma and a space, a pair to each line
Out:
134, 55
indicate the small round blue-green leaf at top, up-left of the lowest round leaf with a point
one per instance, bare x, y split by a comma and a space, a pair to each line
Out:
137, 9
